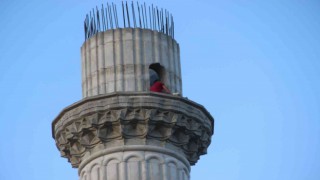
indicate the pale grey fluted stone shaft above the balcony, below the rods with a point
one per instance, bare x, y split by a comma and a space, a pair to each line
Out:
119, 60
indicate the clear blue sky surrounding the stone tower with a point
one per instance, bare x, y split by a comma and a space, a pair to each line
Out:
253, 64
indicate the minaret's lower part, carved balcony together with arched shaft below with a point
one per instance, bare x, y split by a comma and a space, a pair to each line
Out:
133, 135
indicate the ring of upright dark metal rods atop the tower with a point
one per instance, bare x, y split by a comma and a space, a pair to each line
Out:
134, 15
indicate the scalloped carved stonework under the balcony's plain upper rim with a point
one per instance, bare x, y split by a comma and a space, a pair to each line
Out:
98, 128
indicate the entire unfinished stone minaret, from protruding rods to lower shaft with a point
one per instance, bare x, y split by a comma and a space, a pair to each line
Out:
121, 130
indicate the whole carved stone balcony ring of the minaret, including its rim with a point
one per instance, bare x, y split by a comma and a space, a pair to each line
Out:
118, 119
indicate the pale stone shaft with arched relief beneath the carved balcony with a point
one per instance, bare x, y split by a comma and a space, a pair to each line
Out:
135, 162
